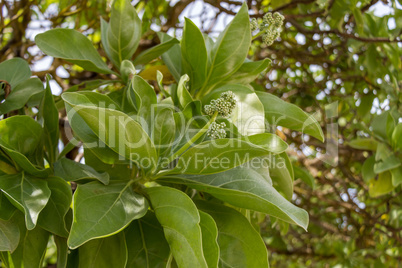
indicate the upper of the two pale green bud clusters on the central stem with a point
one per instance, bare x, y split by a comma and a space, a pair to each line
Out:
223, 105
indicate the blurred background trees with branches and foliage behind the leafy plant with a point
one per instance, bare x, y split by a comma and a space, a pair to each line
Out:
337, 59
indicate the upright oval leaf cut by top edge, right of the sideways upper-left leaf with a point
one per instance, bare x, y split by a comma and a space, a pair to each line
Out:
123, 32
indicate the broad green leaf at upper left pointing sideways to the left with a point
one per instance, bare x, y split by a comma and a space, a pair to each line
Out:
72, 46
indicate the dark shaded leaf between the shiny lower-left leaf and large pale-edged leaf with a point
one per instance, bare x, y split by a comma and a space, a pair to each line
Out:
52, 216
